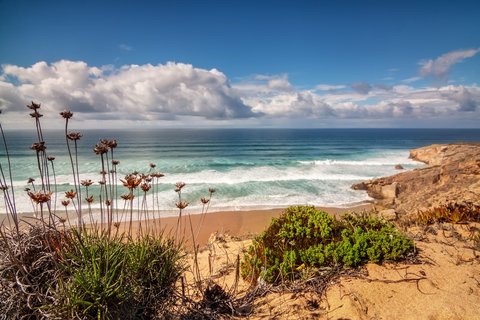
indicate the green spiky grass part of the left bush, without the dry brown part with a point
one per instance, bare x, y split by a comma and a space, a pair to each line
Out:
112, 278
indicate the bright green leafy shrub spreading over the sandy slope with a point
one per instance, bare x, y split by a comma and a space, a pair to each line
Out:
306, 237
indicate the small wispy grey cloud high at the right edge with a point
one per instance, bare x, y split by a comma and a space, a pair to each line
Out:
440, 67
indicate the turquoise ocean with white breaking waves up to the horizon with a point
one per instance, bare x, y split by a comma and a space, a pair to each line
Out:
249, 168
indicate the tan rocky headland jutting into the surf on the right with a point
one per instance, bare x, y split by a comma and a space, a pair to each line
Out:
452, 174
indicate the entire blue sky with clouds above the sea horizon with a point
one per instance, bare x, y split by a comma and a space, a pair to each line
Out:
299, 64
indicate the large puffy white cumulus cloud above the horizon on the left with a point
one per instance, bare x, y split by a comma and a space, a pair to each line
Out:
147, 91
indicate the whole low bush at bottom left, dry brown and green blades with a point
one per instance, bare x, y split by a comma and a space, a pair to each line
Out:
87, 275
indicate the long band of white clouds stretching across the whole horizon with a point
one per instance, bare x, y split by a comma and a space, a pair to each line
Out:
175, 91
